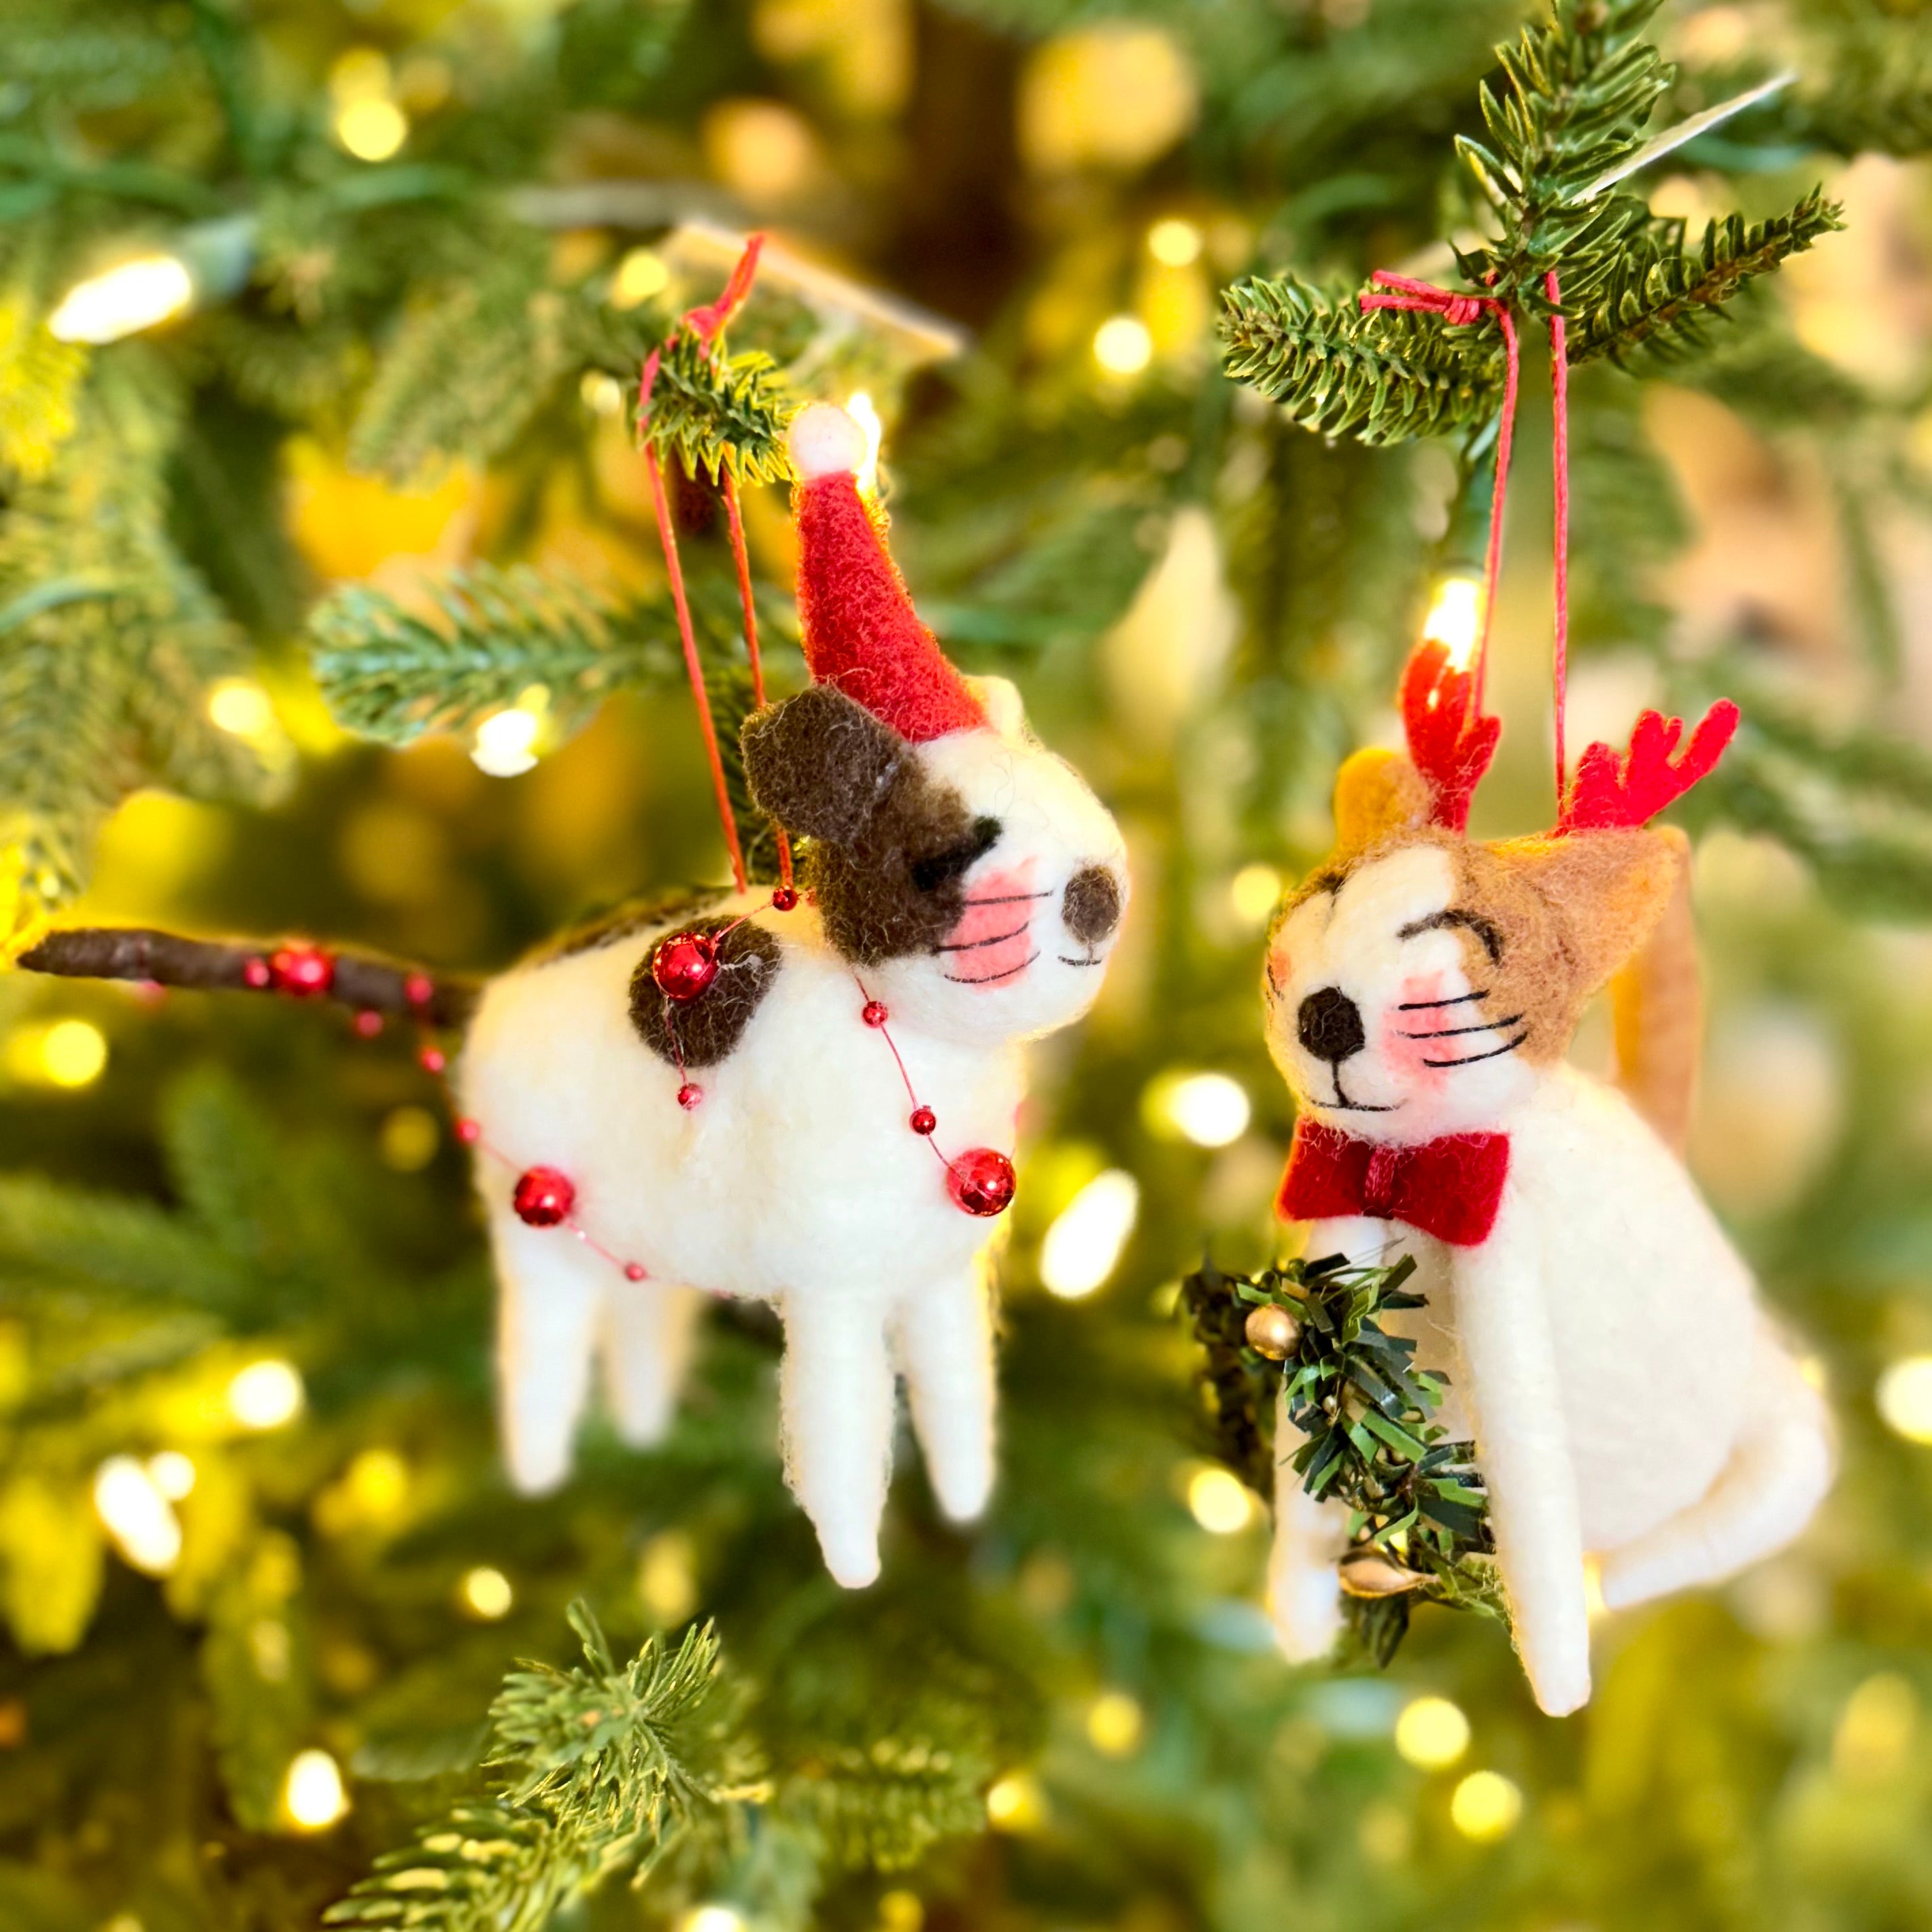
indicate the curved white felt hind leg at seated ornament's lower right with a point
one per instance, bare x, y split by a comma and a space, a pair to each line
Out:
1778, 1473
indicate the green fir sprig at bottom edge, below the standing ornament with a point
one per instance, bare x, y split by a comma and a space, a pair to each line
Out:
600, 1771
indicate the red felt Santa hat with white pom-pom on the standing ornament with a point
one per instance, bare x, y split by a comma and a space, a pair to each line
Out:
861, 631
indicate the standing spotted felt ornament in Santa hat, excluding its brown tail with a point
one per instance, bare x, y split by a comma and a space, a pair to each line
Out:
807, 1102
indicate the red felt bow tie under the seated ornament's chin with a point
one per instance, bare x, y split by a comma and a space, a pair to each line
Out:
1450, 1187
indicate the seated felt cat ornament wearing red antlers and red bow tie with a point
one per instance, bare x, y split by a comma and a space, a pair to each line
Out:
1603, 1342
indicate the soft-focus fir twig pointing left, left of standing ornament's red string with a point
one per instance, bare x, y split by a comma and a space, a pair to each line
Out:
395, 675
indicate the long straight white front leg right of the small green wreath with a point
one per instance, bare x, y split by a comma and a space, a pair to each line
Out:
1525, 1458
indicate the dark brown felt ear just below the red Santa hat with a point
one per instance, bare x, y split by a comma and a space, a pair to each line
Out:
822, 764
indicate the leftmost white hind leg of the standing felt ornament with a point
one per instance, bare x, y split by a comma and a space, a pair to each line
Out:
550, 1301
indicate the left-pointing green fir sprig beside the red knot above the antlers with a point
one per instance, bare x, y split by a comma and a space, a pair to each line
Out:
1380, 376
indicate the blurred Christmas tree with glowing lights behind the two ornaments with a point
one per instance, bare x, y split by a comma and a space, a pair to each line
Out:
329, 604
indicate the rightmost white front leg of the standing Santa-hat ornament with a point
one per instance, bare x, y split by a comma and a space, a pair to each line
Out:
946, 1348
